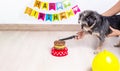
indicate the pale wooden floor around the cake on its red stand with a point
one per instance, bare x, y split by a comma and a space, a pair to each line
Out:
30, 51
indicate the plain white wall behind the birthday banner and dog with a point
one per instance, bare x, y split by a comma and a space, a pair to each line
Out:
12, 11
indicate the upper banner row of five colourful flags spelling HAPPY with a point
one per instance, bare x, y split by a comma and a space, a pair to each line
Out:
52, 6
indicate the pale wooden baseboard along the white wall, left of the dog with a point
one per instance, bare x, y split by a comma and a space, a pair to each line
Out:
39, 27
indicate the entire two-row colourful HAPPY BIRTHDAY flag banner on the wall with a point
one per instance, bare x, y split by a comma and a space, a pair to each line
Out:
52, 6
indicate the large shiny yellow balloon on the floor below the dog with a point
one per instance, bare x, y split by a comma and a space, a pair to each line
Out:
105, 61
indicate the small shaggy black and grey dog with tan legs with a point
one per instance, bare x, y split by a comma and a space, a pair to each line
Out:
95, 24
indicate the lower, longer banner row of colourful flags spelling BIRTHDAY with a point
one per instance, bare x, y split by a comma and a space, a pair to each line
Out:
52, 17
